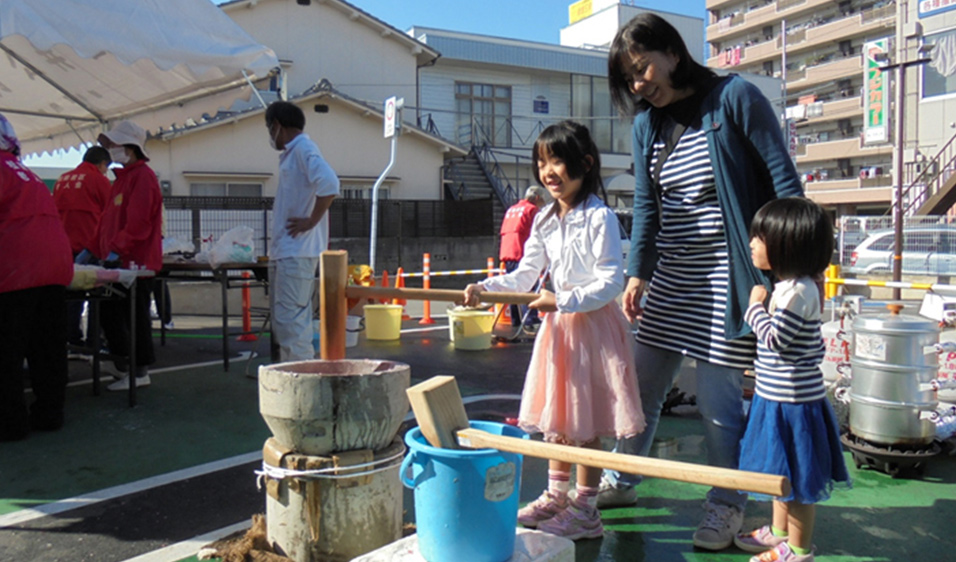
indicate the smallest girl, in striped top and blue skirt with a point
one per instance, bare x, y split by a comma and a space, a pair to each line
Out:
791, 428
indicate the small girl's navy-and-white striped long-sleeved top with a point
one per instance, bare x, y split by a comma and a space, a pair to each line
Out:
789, 343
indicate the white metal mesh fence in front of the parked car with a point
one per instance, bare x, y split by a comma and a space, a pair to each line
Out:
866, 245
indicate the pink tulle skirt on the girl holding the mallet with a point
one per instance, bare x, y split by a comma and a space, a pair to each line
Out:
582, 382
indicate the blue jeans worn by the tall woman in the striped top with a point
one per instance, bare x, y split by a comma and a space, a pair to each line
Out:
719, 400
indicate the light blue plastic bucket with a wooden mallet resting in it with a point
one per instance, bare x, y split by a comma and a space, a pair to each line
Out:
466, 501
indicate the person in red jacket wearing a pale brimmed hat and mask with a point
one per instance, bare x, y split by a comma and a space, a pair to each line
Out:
131, 237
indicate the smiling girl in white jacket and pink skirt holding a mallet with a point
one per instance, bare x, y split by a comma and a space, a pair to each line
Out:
581, 382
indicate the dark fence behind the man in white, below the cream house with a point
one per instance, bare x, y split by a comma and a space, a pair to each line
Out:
205, 219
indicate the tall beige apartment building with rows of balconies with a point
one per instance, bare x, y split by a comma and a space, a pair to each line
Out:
815, 46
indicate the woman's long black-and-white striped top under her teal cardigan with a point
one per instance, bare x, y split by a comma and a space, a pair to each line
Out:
687, 301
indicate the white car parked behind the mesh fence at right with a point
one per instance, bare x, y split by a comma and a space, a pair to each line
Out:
927, 250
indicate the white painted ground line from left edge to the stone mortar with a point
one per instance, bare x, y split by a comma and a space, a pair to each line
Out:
32, 513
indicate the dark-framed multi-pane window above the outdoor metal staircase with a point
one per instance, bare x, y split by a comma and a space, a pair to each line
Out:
483, 114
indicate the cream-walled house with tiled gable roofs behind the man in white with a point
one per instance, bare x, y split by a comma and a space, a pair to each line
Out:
339, 65
